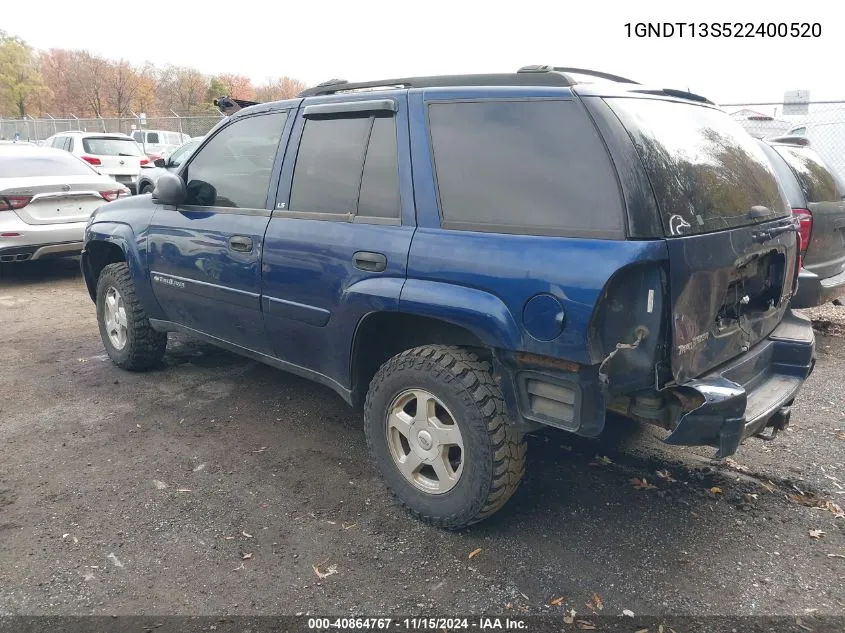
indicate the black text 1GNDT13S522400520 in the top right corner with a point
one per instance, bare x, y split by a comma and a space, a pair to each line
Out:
723, 29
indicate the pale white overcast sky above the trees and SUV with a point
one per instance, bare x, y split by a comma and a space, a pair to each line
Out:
315, 41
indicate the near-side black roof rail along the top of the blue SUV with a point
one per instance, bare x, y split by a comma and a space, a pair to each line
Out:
439, 81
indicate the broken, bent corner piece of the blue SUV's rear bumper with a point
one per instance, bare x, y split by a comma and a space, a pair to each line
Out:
719, 421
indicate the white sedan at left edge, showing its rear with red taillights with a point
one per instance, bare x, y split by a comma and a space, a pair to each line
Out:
46, 197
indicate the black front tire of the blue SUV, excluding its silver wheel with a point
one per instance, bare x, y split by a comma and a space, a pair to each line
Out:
144, 347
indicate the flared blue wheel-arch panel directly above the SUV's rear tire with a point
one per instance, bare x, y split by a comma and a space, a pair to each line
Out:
480, 312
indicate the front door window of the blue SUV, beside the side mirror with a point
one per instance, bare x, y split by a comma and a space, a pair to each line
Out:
233, 169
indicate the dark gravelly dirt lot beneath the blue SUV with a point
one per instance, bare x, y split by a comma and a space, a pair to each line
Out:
214, 484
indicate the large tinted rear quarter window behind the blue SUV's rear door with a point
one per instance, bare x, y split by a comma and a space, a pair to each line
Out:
535, 167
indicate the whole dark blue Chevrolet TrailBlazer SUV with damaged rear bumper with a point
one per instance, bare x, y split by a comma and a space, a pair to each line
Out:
473, 257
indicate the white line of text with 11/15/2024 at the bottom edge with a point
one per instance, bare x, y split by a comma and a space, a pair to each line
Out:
417, 624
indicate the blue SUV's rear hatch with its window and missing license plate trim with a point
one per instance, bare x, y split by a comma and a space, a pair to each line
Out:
732, 243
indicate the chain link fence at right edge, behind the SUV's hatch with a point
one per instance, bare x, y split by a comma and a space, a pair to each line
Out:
823, 124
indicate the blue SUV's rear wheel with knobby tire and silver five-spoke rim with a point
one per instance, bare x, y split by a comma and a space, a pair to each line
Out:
437, 429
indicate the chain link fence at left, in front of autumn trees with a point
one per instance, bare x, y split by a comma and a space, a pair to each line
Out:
33, 130
